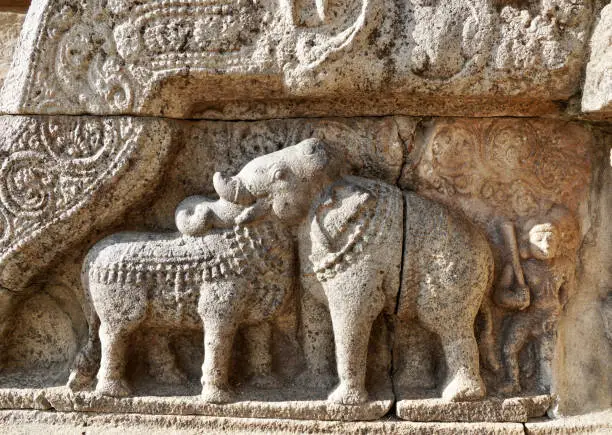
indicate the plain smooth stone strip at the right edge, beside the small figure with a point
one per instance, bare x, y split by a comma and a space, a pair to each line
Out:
584, 374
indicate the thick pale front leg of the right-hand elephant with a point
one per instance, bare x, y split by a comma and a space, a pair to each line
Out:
352, 319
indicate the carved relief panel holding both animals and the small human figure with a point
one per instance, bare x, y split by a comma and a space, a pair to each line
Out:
325, 269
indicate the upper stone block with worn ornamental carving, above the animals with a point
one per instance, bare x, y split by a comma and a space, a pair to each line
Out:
267, 59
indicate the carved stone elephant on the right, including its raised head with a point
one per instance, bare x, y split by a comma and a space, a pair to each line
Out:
361, 242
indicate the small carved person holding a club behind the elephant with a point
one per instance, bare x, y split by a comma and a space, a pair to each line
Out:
547, 246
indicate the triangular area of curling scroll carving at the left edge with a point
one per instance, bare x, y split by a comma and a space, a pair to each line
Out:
51, 168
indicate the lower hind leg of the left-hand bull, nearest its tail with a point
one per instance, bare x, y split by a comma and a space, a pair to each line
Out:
111, 381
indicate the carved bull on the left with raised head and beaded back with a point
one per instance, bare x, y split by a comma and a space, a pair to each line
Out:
210, 276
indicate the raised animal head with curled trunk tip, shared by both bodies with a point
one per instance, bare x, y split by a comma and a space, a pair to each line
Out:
280, 184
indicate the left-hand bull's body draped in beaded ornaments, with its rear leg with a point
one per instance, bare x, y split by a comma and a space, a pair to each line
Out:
154, 280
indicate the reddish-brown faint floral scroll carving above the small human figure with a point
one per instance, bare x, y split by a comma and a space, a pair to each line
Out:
518, 169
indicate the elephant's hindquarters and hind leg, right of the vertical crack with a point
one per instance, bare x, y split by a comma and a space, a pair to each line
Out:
447, 270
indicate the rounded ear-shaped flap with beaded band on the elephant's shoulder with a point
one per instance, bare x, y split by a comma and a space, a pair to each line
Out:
341, 223
